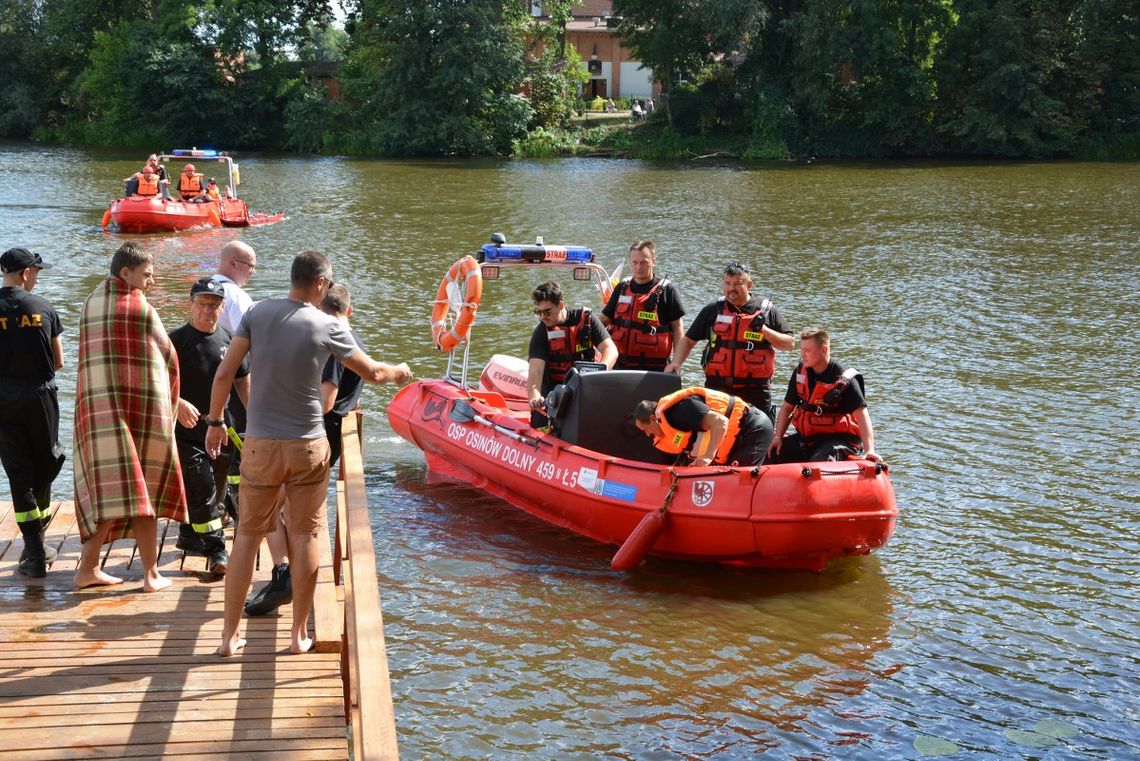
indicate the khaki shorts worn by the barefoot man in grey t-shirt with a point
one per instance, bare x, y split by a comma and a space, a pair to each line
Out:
300, 465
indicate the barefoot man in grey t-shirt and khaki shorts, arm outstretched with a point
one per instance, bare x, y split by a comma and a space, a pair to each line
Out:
289, 341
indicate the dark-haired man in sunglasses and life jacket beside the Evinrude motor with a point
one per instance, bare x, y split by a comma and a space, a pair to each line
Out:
563, 338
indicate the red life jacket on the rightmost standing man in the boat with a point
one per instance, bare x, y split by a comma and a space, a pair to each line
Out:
737, 350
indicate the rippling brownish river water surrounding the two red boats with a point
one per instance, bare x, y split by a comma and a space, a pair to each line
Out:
992, 309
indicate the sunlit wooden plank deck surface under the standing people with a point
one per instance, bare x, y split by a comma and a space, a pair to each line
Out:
115, 673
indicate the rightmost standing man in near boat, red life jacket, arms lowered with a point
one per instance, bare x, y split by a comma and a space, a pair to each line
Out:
744, 336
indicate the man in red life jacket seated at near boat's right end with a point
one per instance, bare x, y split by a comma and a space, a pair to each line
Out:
828, 411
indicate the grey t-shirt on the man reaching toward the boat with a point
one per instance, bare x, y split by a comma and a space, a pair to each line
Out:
290, 343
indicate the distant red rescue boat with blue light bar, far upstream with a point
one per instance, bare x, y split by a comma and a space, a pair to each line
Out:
159, 215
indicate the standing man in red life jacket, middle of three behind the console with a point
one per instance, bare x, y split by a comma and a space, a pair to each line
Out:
644, 315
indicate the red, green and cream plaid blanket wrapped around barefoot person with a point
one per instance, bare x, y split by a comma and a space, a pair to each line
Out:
126, 459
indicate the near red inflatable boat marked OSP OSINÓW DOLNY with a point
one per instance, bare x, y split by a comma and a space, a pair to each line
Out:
597, 474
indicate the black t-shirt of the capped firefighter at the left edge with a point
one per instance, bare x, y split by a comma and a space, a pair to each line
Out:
28, 325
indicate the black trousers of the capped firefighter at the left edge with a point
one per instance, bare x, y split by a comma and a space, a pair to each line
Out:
30, 449
